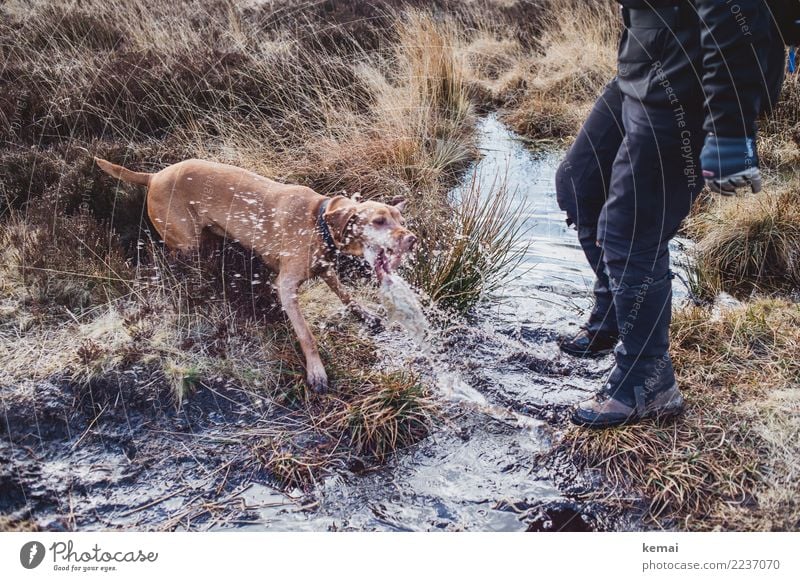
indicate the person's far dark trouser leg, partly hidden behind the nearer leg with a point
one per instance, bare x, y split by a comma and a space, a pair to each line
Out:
582, 185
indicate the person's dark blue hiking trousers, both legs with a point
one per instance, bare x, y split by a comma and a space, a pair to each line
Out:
627, 182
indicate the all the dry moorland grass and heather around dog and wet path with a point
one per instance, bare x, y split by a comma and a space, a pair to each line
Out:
377, 99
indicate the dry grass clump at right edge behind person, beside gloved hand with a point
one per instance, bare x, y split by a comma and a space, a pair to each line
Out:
751, 244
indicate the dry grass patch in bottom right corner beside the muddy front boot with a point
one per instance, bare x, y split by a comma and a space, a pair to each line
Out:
729, 462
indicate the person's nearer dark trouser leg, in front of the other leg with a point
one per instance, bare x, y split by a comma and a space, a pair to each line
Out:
654, 181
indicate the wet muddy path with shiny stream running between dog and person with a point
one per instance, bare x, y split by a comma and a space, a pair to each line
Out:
107, 456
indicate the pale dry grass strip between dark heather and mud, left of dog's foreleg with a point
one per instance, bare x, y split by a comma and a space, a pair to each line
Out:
186, 345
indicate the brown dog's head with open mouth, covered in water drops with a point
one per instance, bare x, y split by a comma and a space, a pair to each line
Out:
370, 229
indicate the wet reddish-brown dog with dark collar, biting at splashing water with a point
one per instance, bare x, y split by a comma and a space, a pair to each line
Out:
296, 231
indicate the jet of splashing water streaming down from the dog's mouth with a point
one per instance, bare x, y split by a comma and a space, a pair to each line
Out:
403, 307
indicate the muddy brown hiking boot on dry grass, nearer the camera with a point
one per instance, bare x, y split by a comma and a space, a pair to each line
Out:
604, 411
